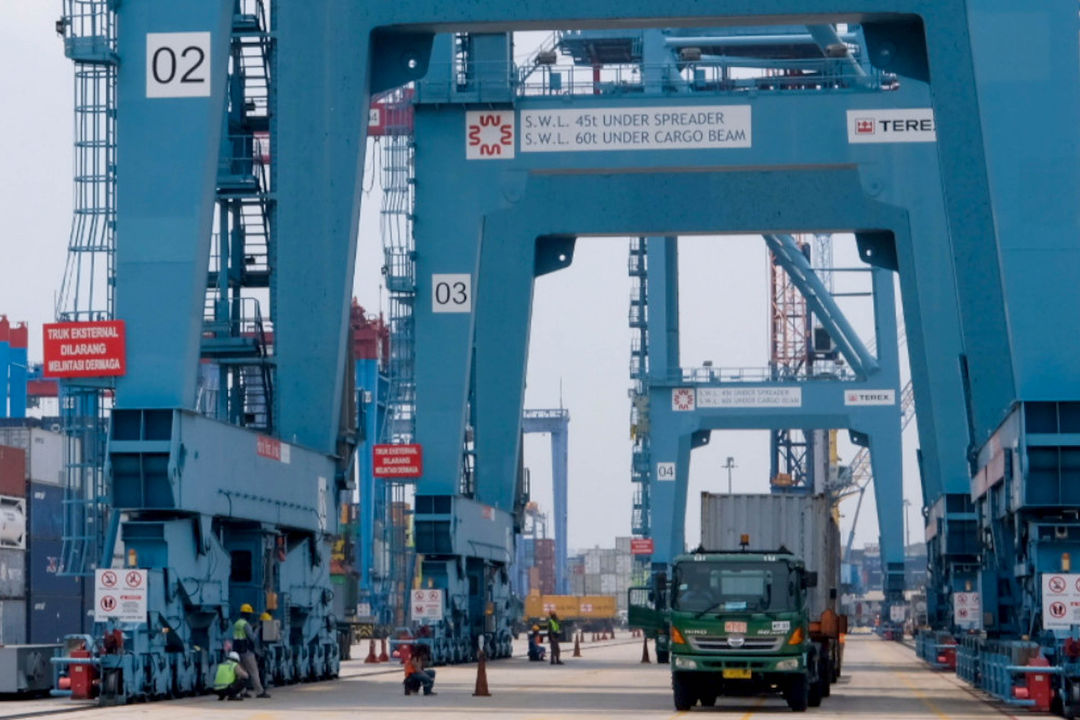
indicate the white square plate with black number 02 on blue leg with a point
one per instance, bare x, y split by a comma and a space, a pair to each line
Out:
178, 65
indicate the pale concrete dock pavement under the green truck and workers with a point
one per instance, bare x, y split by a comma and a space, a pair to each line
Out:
883, 681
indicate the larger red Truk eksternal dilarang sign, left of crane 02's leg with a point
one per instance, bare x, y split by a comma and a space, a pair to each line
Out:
85, 350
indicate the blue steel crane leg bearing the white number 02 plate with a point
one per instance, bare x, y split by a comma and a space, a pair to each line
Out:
166, 207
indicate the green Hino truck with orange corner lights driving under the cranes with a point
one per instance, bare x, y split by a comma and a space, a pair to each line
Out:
744, 622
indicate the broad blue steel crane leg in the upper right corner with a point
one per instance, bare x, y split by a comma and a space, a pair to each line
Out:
1034, 97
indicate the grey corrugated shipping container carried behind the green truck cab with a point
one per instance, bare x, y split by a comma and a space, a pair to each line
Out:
803, 525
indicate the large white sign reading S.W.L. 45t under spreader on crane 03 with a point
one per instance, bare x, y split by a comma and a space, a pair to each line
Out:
661, 128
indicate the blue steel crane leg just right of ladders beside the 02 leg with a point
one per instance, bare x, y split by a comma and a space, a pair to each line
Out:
319, 142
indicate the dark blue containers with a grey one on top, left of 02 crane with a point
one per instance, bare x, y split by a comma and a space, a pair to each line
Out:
50, 605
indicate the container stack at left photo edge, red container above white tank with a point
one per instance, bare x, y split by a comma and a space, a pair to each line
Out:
12, 546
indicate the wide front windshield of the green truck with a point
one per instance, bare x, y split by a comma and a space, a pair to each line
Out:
704, 587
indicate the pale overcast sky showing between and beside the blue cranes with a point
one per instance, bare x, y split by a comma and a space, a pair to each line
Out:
580, 339
